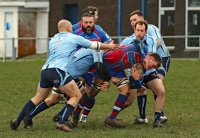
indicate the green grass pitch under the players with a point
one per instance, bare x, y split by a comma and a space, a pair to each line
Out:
18, 82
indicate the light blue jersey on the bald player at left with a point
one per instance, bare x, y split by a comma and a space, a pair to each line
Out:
61, 46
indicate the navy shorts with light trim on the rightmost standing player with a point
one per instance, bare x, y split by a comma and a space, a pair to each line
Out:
163, 69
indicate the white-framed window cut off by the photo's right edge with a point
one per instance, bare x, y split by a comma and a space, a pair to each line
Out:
192, 24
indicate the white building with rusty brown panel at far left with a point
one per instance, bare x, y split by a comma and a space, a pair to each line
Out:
22, 21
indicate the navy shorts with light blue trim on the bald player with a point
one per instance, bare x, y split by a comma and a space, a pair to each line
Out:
54, 77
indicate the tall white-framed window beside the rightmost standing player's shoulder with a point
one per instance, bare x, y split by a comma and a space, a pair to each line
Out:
166, 20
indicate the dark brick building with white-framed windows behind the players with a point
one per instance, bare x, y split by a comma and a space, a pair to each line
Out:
178, 20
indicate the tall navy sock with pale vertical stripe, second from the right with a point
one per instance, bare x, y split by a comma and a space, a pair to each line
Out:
142, 100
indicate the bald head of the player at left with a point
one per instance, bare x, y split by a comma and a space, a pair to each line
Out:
64, 26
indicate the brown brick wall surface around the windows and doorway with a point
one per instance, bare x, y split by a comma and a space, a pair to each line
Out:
108, 18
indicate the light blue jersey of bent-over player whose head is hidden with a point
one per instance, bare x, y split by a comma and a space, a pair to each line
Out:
77, 66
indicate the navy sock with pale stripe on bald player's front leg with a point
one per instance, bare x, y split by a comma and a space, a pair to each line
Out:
66, 113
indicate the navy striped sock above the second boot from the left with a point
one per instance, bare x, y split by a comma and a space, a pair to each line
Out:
41, 107
